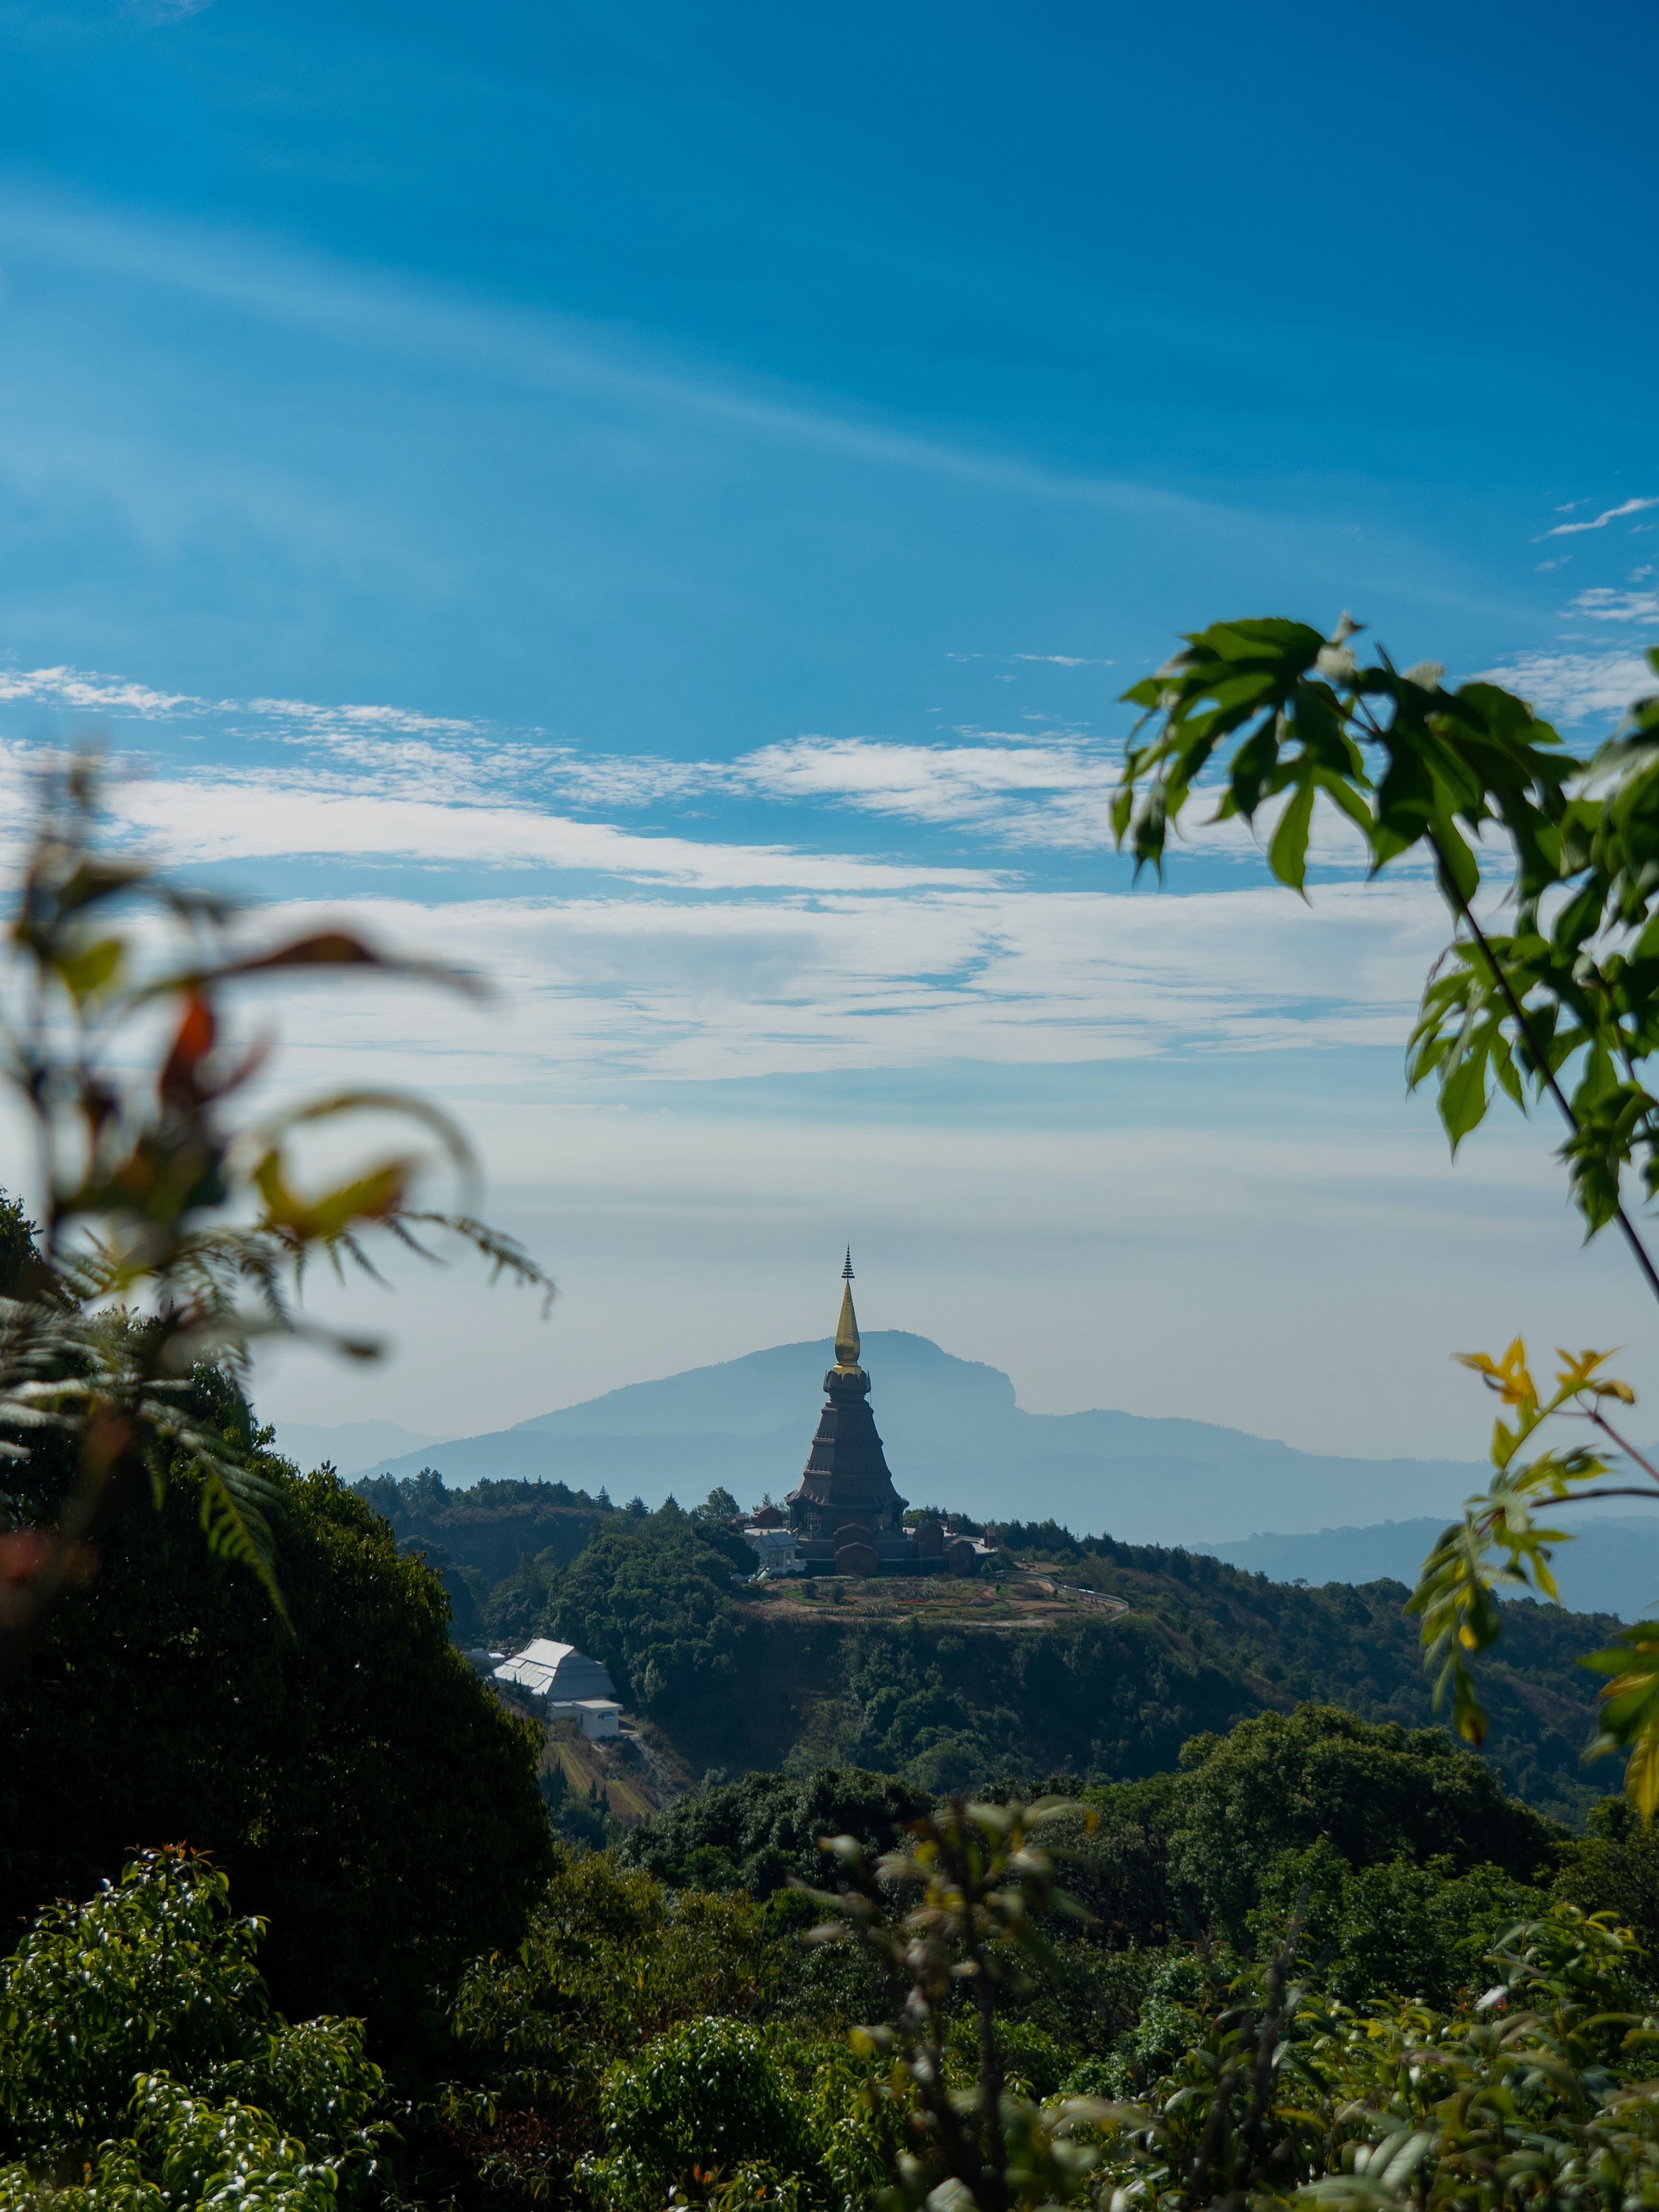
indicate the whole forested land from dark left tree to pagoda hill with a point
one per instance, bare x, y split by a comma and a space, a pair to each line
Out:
556, 2023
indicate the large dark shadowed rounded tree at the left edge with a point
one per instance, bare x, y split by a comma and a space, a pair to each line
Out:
344, 1764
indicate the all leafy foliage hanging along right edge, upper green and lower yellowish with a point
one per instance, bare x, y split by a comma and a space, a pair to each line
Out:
1565, 1003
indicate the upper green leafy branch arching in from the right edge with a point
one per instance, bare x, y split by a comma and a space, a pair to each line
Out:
1269, 711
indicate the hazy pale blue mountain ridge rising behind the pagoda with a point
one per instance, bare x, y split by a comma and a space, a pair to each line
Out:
957, 1437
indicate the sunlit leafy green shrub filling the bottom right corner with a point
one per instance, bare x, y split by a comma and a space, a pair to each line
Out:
1536, 2096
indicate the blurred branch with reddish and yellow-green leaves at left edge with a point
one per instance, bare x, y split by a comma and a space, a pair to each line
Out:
174, 1229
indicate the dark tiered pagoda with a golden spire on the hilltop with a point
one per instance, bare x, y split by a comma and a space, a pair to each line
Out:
846, 1514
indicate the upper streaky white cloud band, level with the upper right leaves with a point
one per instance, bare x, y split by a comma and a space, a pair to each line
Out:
388, 784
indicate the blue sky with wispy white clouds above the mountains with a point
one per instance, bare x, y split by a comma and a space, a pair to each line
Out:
665, 503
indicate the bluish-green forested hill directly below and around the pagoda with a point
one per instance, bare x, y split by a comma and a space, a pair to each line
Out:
939, 1687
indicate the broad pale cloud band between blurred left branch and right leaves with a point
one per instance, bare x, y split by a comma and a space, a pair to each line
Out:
651, 988
